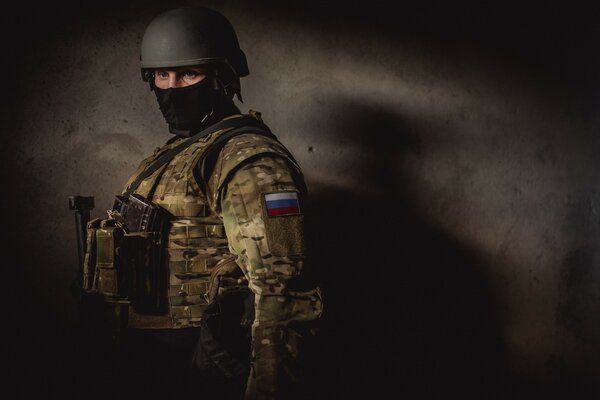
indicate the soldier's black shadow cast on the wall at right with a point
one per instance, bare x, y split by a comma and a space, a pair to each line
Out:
408, 311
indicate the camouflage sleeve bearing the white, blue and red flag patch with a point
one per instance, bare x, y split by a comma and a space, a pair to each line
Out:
261, 206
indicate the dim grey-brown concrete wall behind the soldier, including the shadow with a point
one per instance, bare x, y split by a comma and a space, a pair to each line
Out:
452, 159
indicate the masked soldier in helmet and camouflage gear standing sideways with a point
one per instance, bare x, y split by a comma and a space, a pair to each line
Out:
225, 281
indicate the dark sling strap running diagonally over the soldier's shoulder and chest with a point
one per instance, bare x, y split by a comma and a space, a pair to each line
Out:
232, 127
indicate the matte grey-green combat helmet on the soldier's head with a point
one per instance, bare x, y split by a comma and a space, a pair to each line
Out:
189, 36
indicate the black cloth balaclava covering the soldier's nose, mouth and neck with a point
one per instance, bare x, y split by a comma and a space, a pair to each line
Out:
190, 109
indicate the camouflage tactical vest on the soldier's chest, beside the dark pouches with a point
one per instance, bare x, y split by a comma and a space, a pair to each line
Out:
195, 240
